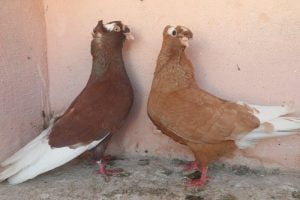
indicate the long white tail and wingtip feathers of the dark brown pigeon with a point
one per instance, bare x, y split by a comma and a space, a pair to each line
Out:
38, 157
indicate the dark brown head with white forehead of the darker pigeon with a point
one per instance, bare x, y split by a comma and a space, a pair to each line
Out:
114, 32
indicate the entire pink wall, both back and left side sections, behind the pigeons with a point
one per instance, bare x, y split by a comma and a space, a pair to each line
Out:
262, 39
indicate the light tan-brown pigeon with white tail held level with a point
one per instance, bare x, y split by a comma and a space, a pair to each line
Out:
210, 126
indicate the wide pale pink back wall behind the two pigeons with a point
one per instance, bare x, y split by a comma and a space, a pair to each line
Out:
242, 50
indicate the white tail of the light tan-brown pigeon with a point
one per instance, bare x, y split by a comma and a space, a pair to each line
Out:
272, 124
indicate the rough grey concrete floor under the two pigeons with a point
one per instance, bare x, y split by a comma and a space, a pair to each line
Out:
153, 178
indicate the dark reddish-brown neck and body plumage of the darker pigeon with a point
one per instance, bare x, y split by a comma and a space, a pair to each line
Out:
104, 103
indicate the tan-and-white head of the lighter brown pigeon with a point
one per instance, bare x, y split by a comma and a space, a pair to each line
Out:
177, 36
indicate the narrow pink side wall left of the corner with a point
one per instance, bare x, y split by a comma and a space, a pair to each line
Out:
23, 72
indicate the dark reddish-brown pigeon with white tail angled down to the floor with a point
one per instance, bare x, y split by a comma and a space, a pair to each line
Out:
93, 117
